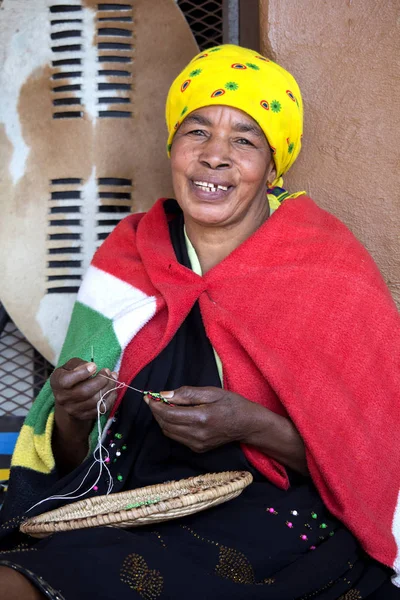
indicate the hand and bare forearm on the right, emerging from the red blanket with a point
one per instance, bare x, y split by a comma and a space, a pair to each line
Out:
204, 418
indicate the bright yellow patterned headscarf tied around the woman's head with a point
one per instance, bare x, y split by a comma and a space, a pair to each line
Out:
242, 78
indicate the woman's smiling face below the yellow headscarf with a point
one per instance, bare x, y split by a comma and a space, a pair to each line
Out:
221, 163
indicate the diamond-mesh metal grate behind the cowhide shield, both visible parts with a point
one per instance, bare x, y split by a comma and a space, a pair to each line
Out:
23, 371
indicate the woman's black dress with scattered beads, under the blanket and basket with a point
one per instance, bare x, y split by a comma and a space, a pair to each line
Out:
266, 544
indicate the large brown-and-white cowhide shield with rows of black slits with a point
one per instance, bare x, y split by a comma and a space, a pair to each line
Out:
82, 141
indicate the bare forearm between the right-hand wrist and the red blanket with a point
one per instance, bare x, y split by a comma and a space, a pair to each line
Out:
277, 437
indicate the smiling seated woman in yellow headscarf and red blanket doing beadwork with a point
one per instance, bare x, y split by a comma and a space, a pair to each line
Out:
262, 321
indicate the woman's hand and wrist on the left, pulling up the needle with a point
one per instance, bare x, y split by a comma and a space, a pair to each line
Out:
76, 394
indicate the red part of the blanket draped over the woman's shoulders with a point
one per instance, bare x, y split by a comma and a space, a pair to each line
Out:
304, 325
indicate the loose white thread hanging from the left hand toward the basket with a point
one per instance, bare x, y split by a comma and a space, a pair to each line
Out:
97, 454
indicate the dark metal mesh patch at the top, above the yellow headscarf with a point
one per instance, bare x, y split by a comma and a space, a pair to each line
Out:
205, 19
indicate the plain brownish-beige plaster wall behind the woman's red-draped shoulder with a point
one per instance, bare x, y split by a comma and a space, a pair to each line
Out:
345, 54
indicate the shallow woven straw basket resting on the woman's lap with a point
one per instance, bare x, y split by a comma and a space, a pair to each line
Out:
150, 504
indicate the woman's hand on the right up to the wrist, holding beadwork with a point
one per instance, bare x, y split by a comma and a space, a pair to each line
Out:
203, 418
